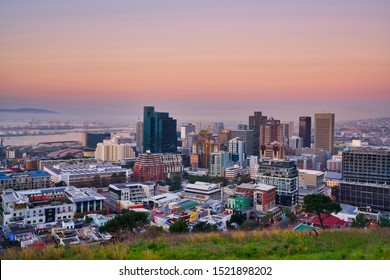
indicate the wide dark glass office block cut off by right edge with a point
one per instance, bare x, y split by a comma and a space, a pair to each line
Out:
366, 178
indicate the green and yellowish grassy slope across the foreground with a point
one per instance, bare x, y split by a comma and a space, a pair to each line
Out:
351, 244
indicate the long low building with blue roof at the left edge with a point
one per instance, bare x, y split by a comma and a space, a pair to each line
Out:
19, 181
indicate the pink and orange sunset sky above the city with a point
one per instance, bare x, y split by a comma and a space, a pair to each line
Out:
199, 60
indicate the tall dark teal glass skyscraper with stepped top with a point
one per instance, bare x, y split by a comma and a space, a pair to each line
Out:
159, 132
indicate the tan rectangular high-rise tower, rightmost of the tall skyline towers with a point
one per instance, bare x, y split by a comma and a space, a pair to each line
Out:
324, 131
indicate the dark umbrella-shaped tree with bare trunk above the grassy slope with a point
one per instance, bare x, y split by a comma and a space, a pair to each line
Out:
320, 205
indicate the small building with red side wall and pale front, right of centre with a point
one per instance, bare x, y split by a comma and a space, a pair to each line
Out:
264, 197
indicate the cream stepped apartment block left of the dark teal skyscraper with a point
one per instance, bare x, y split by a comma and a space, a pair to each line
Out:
112, 151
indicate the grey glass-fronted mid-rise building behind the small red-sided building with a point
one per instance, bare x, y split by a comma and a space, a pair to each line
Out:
282, 174
